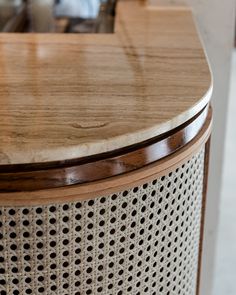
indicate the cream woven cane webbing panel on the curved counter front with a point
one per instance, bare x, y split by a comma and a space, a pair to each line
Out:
141, 241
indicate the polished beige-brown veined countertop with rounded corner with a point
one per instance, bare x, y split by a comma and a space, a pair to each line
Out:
69, 96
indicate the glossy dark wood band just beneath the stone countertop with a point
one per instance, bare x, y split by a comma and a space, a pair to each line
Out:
17, 178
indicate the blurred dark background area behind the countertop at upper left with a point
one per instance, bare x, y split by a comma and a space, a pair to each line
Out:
57, 16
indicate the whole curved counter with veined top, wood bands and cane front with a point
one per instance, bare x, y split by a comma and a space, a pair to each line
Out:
104, 145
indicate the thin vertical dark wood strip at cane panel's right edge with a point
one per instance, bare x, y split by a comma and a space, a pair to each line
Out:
204, 200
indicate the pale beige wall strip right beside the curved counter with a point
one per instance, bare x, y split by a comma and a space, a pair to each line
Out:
215, 20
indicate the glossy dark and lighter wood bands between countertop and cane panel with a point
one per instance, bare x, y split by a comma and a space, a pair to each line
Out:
92, 177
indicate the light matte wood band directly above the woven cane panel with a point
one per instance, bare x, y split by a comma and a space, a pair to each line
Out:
112, 184
